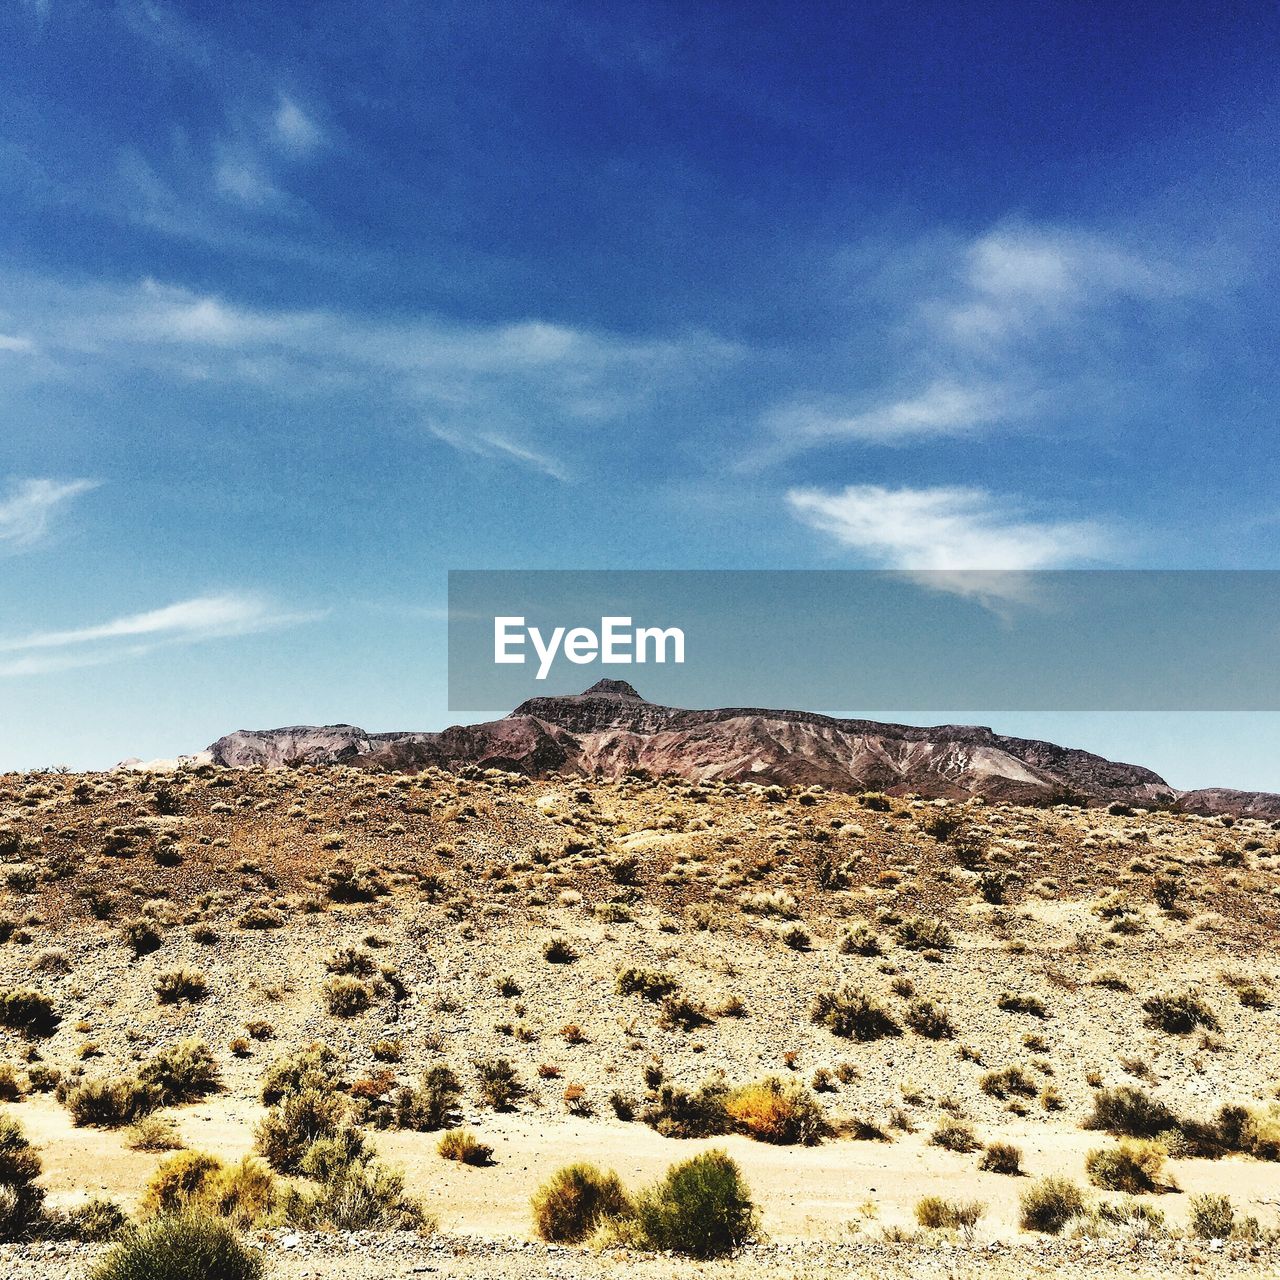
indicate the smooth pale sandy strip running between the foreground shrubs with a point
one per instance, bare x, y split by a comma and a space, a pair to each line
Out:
806, 1194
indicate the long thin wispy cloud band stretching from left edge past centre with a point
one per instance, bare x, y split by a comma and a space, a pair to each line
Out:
515, 392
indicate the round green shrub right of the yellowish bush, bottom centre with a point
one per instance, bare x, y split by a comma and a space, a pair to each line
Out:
702, 1209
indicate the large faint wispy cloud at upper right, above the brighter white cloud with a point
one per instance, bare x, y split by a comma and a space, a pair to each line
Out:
990, 333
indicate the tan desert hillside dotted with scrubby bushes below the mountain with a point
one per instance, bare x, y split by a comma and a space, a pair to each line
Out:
868, 1002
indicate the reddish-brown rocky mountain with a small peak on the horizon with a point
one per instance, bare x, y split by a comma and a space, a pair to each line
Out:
611, 730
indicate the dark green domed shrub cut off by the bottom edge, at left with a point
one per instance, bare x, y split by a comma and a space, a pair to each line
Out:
195, 1246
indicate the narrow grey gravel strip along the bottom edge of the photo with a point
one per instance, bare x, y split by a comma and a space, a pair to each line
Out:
342, 1256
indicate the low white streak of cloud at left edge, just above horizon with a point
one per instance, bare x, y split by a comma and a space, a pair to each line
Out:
207, 618
